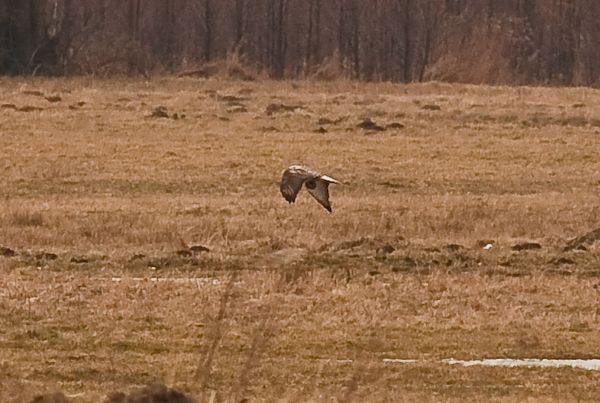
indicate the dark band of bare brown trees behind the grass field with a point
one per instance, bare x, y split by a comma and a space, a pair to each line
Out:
481, 41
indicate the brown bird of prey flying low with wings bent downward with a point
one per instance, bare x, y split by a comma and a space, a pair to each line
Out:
316, 184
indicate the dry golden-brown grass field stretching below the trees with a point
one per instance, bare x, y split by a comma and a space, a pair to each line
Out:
102, 203
